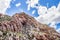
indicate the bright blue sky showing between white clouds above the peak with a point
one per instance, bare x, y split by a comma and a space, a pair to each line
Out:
23, 7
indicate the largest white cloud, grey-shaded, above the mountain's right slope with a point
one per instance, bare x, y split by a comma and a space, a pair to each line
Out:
51, 15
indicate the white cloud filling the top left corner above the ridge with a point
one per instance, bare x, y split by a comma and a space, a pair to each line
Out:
4, 4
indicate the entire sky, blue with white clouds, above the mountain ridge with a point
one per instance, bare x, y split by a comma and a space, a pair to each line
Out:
44, 11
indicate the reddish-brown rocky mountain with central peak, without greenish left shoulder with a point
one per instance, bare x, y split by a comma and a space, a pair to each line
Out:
24, 27
